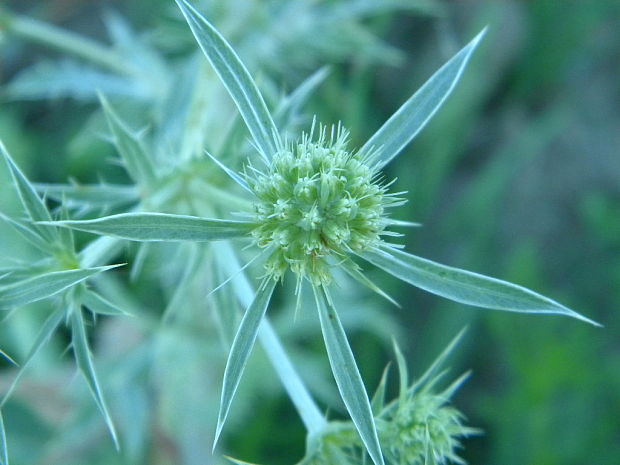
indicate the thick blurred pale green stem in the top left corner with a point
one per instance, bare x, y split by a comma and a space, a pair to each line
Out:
65, 41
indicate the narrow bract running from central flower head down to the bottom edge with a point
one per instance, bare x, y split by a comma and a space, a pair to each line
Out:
347, 375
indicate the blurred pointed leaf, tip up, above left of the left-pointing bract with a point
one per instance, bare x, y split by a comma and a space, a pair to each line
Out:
130, 147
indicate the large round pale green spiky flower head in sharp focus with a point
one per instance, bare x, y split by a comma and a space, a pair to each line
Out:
317, 201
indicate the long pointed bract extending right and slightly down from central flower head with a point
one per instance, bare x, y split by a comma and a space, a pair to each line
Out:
465, 286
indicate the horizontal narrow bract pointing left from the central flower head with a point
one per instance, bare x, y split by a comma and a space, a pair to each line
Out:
161, 227
